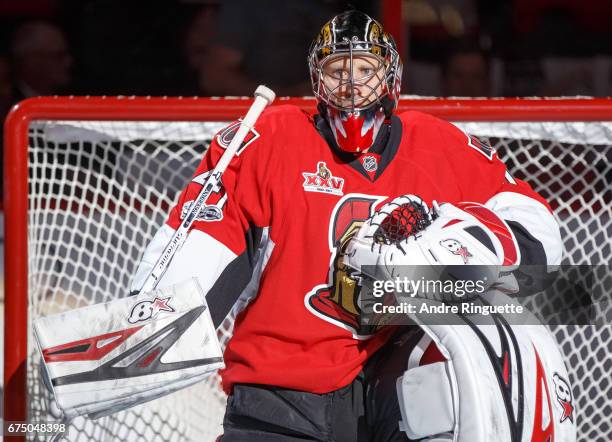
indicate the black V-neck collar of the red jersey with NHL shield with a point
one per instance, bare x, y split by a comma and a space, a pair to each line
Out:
386, 145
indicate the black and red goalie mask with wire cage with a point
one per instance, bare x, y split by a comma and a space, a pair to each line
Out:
355, 71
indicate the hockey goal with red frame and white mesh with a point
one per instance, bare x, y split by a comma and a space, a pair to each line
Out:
90, 180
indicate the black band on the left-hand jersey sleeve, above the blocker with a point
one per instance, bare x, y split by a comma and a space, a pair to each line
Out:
235, 277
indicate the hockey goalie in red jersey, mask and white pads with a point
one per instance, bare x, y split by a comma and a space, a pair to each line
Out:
309, 210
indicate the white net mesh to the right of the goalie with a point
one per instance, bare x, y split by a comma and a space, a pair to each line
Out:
570, 164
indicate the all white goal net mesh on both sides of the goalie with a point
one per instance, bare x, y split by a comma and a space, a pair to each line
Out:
99, 190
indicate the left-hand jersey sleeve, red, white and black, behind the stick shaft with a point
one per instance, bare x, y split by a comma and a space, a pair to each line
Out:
224, 245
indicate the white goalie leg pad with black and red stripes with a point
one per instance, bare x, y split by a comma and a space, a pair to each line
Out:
499, 382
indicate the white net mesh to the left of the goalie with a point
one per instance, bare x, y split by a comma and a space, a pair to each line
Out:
98, 193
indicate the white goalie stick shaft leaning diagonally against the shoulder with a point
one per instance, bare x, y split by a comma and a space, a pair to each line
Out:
263, 97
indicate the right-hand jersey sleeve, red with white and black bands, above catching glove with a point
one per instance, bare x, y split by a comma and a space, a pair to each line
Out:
482, 177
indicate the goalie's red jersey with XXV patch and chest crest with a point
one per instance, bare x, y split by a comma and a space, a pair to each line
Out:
269, 244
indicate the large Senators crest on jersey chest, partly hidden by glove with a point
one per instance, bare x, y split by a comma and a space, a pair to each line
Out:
337, 300
